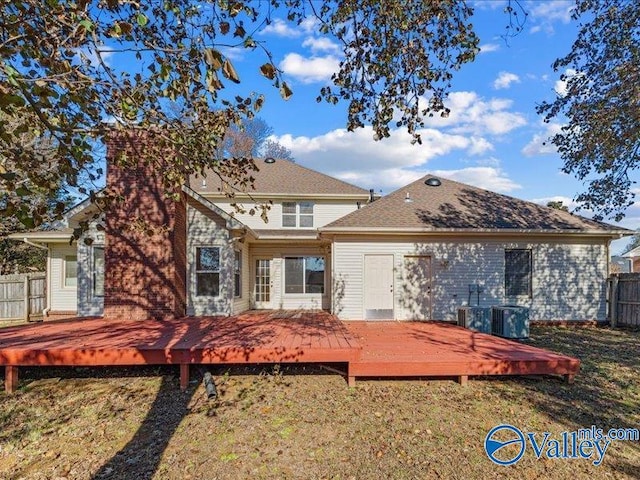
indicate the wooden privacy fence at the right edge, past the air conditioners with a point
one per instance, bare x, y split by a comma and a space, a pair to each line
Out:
623, 299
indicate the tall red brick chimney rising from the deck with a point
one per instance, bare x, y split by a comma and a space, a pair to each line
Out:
145, 237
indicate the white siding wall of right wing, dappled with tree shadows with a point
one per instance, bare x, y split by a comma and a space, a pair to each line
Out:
568, 276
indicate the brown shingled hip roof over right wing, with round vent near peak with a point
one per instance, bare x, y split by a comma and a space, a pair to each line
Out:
454, 206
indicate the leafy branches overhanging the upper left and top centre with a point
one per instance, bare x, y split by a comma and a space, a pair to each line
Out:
56, 80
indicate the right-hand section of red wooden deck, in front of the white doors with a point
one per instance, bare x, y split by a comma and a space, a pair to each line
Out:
407, 349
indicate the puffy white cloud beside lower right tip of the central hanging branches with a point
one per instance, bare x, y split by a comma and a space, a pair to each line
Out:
471, 114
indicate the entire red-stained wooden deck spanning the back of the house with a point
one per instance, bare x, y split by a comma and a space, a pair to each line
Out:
374, 349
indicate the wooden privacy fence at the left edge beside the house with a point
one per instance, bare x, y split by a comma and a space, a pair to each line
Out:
22, 296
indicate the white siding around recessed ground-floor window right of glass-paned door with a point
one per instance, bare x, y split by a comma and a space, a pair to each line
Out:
280, 300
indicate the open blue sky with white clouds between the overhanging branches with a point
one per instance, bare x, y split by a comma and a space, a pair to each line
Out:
493, 137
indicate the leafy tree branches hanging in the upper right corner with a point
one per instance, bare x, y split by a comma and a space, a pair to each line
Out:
600, 139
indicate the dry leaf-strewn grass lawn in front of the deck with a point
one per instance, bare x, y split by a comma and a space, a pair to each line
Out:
286, 423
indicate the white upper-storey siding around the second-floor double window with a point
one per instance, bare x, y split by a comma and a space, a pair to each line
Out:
324, 212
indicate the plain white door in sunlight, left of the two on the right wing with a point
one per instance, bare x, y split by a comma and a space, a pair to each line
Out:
378, 287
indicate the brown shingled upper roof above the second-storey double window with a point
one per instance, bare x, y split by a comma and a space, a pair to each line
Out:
284, 177
